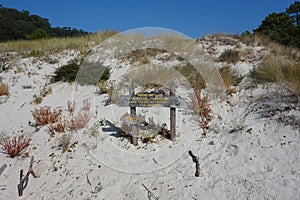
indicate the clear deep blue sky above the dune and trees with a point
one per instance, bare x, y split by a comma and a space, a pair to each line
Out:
193, 18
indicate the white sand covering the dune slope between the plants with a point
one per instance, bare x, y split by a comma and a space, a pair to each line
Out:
260, 160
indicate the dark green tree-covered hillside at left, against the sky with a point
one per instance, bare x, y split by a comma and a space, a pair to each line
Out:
16, 25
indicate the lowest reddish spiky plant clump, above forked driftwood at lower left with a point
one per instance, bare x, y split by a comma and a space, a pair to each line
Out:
16, 146
